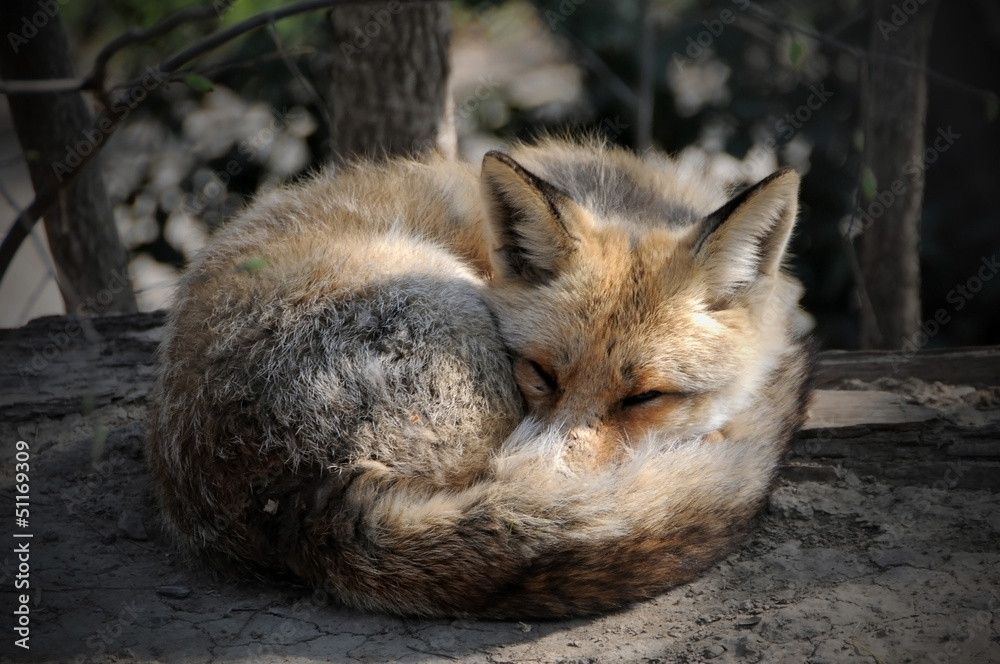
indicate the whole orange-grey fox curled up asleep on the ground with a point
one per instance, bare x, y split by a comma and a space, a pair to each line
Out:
552, 388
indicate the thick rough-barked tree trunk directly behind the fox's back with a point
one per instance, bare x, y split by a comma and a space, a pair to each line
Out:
389, 79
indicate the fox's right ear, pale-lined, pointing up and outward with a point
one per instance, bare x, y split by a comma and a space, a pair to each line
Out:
747, 237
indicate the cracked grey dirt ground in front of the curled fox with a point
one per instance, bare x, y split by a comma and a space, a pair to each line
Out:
847, 571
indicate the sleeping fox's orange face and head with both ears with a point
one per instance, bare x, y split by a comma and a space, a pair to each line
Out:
636, 311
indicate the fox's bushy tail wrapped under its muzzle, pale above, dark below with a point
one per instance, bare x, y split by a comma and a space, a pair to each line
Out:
534, 539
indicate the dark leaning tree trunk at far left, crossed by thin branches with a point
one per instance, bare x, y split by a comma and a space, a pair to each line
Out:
91, 263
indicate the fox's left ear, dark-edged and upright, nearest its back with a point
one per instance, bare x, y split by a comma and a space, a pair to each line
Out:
529, 220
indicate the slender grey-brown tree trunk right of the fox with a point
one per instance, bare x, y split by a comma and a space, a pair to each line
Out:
896, 111
